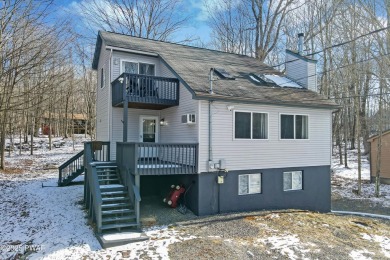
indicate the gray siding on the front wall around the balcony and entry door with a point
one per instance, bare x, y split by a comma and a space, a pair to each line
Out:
175, 131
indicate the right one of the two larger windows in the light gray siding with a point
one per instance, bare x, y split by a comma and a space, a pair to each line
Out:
294, 127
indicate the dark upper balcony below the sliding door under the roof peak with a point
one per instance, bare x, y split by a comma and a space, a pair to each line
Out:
145, 92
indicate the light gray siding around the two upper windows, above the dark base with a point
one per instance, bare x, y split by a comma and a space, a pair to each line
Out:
271, 153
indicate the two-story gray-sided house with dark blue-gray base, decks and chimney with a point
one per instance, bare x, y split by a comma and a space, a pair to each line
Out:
236, 133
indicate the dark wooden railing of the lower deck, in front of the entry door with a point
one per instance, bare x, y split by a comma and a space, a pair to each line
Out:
157, 158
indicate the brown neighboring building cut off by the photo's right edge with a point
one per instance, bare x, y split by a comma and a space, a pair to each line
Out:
385, 155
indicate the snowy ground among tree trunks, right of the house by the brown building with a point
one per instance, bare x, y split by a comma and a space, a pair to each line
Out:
344, 180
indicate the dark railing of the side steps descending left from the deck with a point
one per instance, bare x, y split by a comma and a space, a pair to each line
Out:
72, 166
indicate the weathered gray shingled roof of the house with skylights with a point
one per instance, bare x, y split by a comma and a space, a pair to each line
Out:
193, 64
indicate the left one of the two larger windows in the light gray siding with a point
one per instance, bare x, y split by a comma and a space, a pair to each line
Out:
248, 125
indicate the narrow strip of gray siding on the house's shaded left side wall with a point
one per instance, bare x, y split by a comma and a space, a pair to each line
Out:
103, 103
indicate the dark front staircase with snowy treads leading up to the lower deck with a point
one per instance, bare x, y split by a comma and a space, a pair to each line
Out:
117, 220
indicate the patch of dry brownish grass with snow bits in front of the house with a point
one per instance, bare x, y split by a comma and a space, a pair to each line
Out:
287, 235
